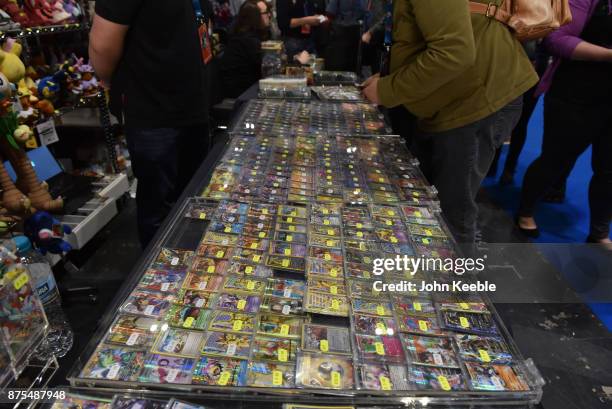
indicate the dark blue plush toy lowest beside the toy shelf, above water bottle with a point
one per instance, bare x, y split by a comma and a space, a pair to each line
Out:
47, 233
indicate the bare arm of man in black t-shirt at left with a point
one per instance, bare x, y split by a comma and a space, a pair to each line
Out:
106, 46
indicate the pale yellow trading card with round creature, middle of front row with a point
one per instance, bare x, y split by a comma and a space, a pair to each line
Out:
324, 372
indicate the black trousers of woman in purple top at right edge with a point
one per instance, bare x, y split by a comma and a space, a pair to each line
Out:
569, 129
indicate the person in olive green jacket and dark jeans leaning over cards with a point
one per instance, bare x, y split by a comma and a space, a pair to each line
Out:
462, 76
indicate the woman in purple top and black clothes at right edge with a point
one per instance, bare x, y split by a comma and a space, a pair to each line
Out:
577, 114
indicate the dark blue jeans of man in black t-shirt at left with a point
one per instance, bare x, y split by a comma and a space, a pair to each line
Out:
164, 161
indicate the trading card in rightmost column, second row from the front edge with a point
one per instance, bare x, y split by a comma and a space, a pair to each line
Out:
488, 350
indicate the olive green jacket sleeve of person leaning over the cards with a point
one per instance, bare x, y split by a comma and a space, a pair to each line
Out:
446, 26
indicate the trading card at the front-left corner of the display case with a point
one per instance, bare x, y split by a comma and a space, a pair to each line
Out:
117, 364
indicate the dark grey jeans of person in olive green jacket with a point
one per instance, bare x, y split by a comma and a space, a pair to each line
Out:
456, 162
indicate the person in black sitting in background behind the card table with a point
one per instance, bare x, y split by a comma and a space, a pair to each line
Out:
240, 65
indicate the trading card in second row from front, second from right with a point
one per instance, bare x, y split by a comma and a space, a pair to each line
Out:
433, 351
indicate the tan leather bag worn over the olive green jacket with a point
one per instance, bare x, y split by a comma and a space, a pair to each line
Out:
528, 19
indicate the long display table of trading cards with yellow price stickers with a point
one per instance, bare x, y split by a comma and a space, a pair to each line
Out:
262, 287
